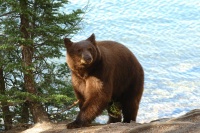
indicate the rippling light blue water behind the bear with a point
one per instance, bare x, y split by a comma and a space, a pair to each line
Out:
165, 37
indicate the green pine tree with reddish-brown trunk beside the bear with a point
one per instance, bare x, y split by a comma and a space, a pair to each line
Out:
32, 33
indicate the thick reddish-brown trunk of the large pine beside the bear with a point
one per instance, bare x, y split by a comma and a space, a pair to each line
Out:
38, 112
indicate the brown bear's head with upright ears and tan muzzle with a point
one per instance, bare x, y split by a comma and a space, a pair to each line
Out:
81, 54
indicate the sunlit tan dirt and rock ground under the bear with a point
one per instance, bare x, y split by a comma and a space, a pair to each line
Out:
188, 123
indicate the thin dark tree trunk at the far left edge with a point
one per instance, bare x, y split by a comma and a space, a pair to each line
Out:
7, 117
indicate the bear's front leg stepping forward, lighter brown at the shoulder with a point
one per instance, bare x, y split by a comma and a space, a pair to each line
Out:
96, 100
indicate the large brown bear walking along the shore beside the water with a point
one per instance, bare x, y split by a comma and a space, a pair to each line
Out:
104, 73
